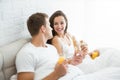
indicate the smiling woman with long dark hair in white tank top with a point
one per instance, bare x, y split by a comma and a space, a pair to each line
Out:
62, 40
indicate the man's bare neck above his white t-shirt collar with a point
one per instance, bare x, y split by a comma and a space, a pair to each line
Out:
38, 41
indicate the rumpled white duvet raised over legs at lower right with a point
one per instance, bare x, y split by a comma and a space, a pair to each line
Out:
105, 67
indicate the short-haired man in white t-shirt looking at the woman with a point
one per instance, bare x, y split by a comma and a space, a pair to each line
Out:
38, 60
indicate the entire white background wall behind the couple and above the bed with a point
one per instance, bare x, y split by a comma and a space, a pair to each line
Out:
95, 21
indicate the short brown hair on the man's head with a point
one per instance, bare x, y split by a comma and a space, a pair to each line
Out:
35, 22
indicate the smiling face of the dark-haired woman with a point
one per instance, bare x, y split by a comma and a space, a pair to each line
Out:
59, 25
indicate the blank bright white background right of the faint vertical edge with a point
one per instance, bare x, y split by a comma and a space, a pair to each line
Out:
102, 22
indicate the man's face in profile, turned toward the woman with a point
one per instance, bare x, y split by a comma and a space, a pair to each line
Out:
48, 33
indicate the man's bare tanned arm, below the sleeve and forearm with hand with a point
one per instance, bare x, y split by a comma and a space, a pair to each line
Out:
59, 71
